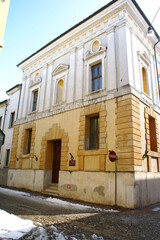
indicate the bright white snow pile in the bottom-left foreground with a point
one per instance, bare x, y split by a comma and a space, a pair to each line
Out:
13, 227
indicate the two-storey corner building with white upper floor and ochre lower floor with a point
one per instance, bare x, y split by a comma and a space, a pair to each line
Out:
92, 89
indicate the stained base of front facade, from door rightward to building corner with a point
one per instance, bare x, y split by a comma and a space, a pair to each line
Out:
98, 187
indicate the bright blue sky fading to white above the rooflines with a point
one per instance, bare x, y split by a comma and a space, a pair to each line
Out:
33, 23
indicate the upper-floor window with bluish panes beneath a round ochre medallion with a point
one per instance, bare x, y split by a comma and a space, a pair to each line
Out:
97, 77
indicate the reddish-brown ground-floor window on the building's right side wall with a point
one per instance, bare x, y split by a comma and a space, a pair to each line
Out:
152, 131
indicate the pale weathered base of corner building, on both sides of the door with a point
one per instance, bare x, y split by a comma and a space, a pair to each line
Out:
133, 189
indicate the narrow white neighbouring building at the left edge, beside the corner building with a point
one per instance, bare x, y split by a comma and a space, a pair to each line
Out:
8, 116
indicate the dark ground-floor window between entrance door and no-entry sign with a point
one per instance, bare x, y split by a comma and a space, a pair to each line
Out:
92, 132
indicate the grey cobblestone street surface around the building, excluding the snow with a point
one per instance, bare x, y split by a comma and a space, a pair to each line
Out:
82, 224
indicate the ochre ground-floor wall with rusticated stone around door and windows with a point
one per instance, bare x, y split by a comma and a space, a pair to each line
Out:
120, 130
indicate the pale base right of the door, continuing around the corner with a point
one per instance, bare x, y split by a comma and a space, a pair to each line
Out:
133, 189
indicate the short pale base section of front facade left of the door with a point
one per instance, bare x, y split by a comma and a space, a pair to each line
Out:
26, 179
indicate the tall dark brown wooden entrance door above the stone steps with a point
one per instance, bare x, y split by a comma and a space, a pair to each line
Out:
56, 160
